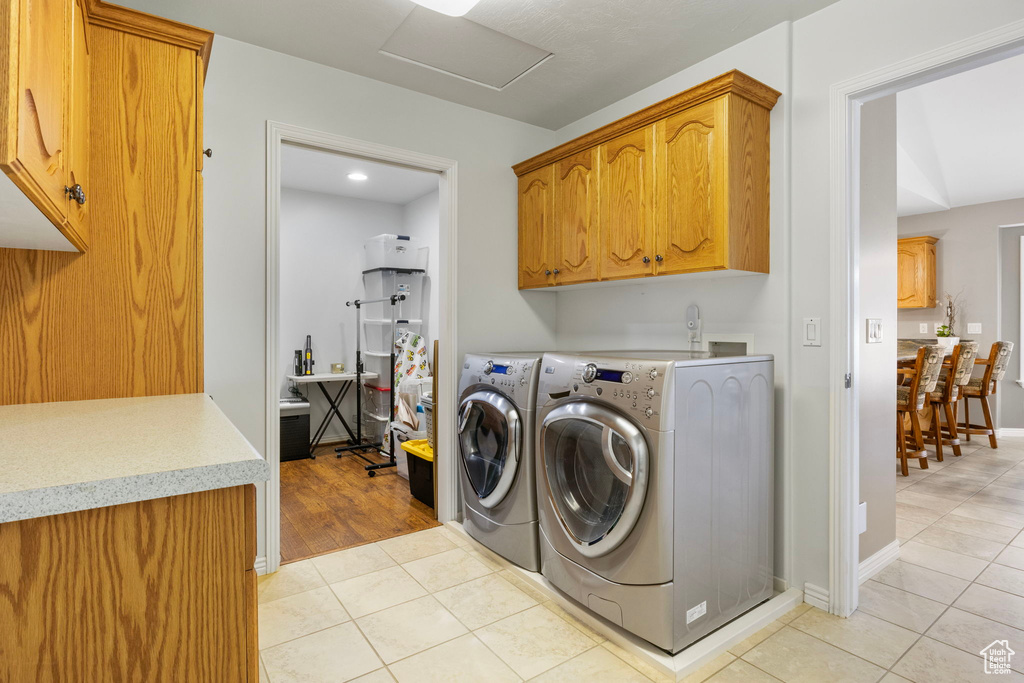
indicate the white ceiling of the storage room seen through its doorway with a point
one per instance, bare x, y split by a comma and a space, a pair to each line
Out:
317, 172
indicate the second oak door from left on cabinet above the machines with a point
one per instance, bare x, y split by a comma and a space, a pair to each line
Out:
576, 226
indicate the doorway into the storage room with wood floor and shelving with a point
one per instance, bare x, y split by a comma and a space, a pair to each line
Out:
360, 311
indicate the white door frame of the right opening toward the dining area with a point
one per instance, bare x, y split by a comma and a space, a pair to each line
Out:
846, 99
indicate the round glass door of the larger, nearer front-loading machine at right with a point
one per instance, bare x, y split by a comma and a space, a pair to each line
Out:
596, 465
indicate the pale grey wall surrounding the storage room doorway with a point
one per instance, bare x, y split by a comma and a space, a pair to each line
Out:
245, 88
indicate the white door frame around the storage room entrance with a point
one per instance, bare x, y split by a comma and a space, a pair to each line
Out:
278, 134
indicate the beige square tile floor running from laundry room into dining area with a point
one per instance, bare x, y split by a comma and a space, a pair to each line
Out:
429, 608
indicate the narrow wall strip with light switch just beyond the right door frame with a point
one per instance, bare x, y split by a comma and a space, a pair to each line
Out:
877, 375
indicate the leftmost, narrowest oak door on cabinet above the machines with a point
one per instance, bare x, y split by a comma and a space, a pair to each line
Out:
537, 244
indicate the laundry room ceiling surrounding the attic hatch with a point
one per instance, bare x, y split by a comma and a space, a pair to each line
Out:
604, 50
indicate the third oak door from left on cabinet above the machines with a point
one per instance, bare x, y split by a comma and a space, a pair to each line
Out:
627, 198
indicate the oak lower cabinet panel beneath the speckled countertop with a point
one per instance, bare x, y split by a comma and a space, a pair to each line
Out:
162, 590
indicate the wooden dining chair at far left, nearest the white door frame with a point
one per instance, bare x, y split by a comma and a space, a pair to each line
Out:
912, 397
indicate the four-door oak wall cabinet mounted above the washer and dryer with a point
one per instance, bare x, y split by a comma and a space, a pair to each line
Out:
682, 187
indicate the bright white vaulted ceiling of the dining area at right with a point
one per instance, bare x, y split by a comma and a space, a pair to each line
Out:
961, 140
